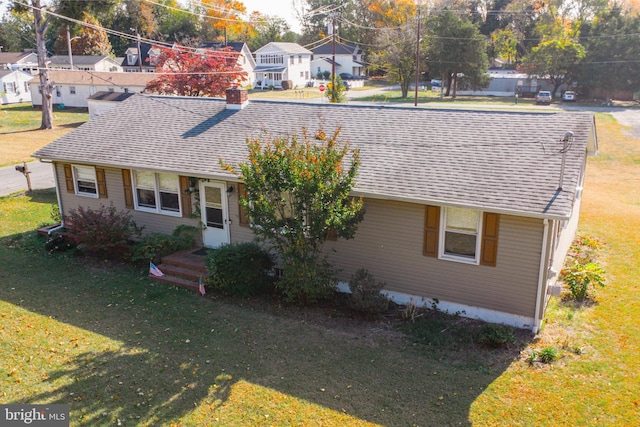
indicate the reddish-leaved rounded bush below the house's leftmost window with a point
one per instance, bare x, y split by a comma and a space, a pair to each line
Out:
103, 231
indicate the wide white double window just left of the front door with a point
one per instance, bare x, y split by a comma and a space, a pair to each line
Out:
157, 192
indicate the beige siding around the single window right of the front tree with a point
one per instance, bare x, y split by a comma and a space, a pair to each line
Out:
389, 244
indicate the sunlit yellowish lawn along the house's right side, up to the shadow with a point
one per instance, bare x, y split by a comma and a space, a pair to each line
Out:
601, 386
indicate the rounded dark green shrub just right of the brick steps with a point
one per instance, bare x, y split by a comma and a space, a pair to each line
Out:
240, 269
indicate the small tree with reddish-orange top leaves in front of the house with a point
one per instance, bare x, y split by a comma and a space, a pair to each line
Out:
298, 193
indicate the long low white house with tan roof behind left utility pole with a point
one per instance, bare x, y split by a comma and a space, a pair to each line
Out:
73, 88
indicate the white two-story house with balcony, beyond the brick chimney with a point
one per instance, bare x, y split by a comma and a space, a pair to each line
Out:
278, 61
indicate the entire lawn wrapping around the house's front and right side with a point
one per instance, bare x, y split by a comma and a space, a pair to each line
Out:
120, 350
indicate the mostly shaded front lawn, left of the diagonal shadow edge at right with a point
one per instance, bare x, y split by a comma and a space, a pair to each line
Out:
121, 350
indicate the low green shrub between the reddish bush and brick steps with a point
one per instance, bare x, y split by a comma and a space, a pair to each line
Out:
157, 245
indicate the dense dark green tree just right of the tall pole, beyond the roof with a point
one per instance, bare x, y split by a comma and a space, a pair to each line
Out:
457, 51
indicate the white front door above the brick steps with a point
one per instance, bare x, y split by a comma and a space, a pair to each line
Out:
213, 197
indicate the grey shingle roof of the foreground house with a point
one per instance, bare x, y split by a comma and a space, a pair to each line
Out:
501, 161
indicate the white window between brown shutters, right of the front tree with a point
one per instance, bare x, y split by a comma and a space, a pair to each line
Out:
460, 234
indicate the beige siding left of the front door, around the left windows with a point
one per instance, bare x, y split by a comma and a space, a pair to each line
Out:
154, 223
